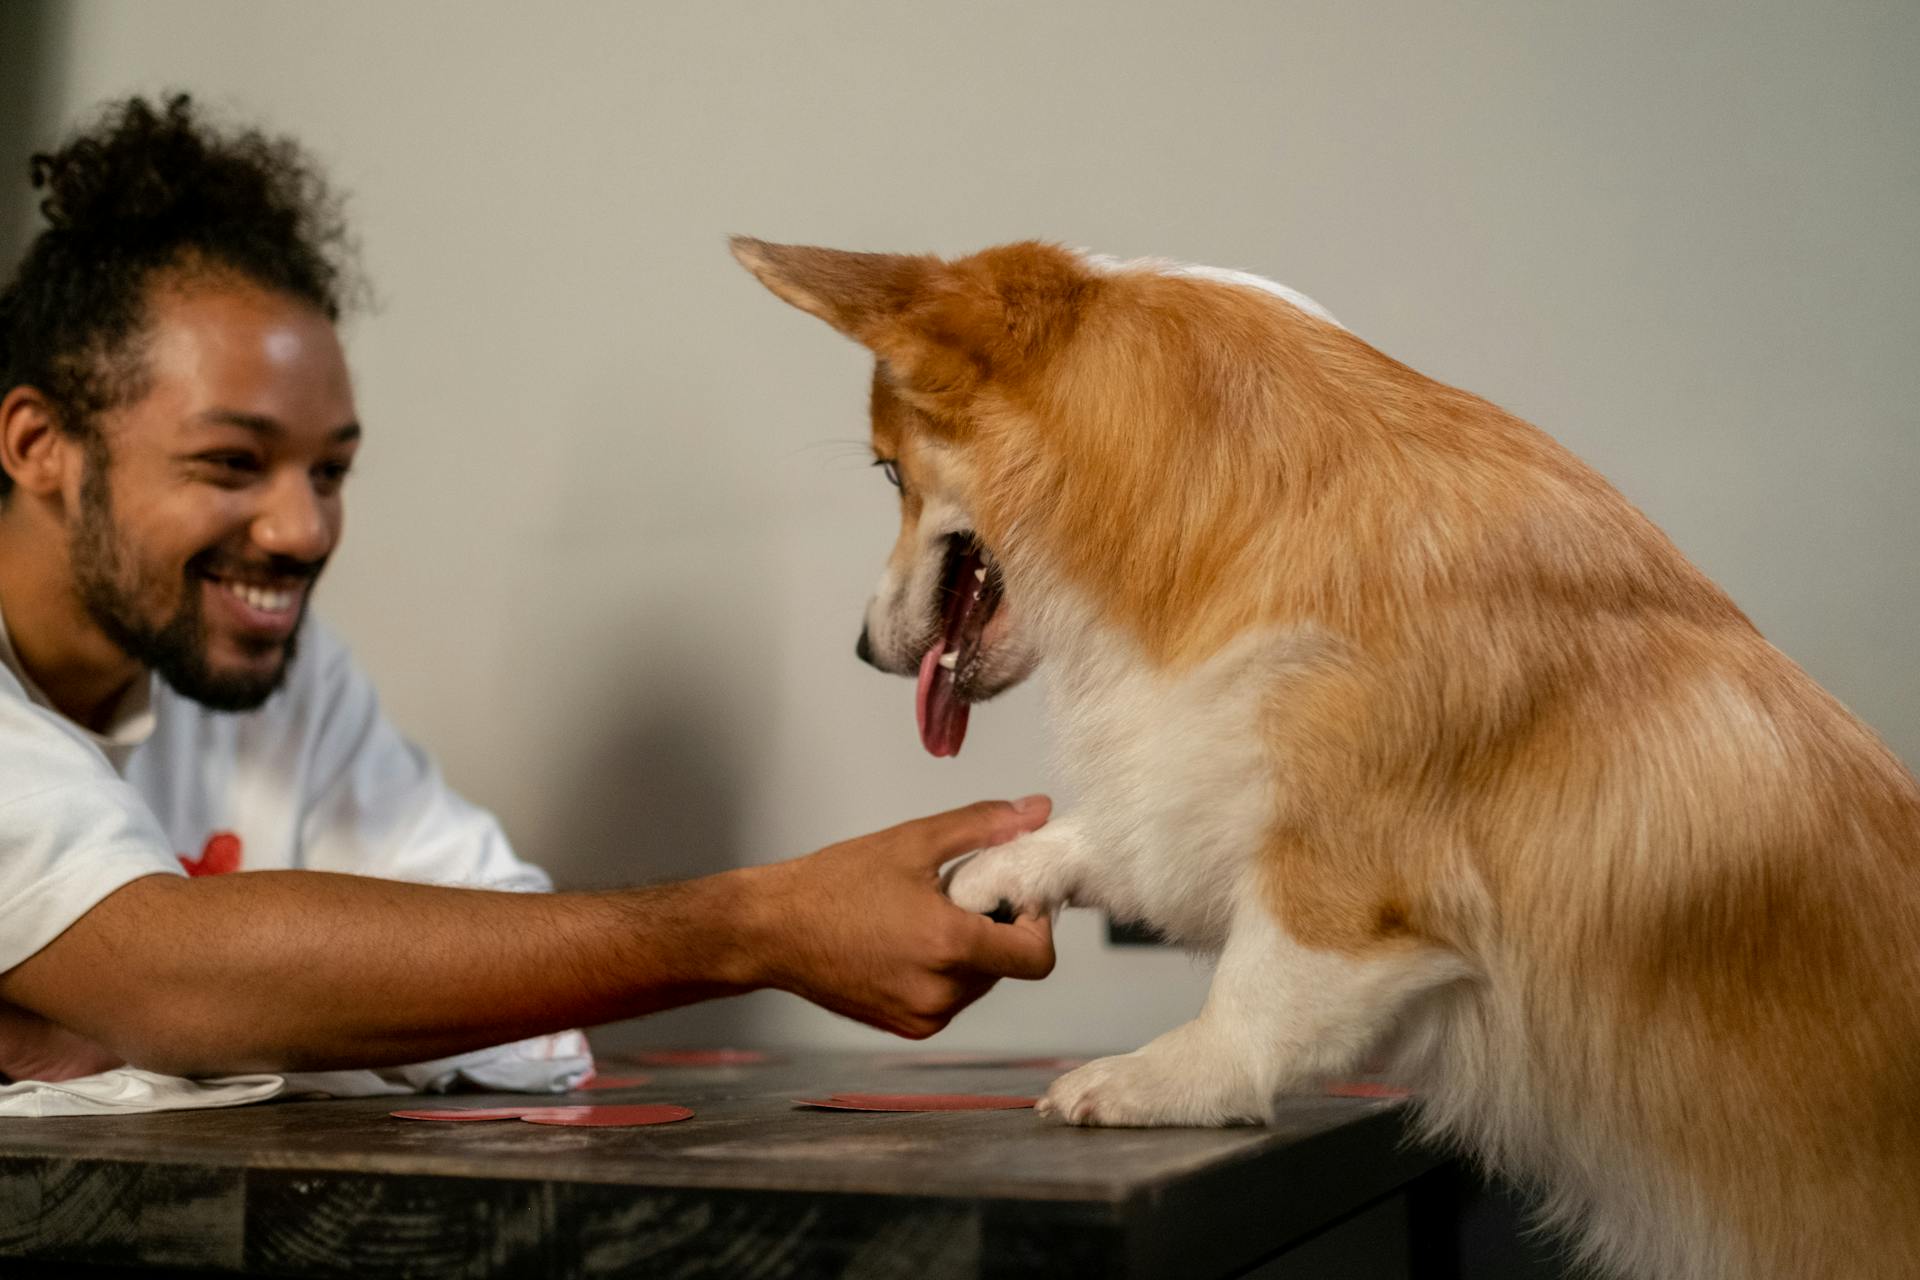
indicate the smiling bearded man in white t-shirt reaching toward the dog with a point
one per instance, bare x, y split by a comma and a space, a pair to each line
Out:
176, 433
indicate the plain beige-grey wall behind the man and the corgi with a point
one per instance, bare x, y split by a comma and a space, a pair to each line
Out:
613, 533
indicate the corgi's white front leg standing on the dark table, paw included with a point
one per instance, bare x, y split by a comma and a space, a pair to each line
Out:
1278, 1018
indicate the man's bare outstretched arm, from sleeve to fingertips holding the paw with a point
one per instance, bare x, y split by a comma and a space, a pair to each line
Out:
310, 972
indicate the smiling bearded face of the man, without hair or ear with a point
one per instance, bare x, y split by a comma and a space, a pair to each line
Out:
208, 508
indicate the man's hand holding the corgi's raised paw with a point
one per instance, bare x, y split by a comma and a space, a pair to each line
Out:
865, 930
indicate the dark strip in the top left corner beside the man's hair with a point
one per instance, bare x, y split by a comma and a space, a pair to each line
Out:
30, 34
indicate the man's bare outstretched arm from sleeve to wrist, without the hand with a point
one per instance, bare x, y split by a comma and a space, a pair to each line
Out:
304, 970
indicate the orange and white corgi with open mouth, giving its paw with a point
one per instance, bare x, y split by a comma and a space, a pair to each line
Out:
1441, 747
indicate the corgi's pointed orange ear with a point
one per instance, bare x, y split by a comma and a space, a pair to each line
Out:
942, 329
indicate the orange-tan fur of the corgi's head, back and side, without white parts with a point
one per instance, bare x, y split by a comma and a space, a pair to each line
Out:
1687, 880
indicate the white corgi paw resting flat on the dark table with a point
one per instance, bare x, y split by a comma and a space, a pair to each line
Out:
1153, 1089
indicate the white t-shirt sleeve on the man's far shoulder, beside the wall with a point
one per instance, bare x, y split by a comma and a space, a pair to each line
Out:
379, 805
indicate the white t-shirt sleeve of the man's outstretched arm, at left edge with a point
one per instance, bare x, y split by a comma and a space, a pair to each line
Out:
70, 832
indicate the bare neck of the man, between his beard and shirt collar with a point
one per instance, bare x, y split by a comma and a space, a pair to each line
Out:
59, 646
